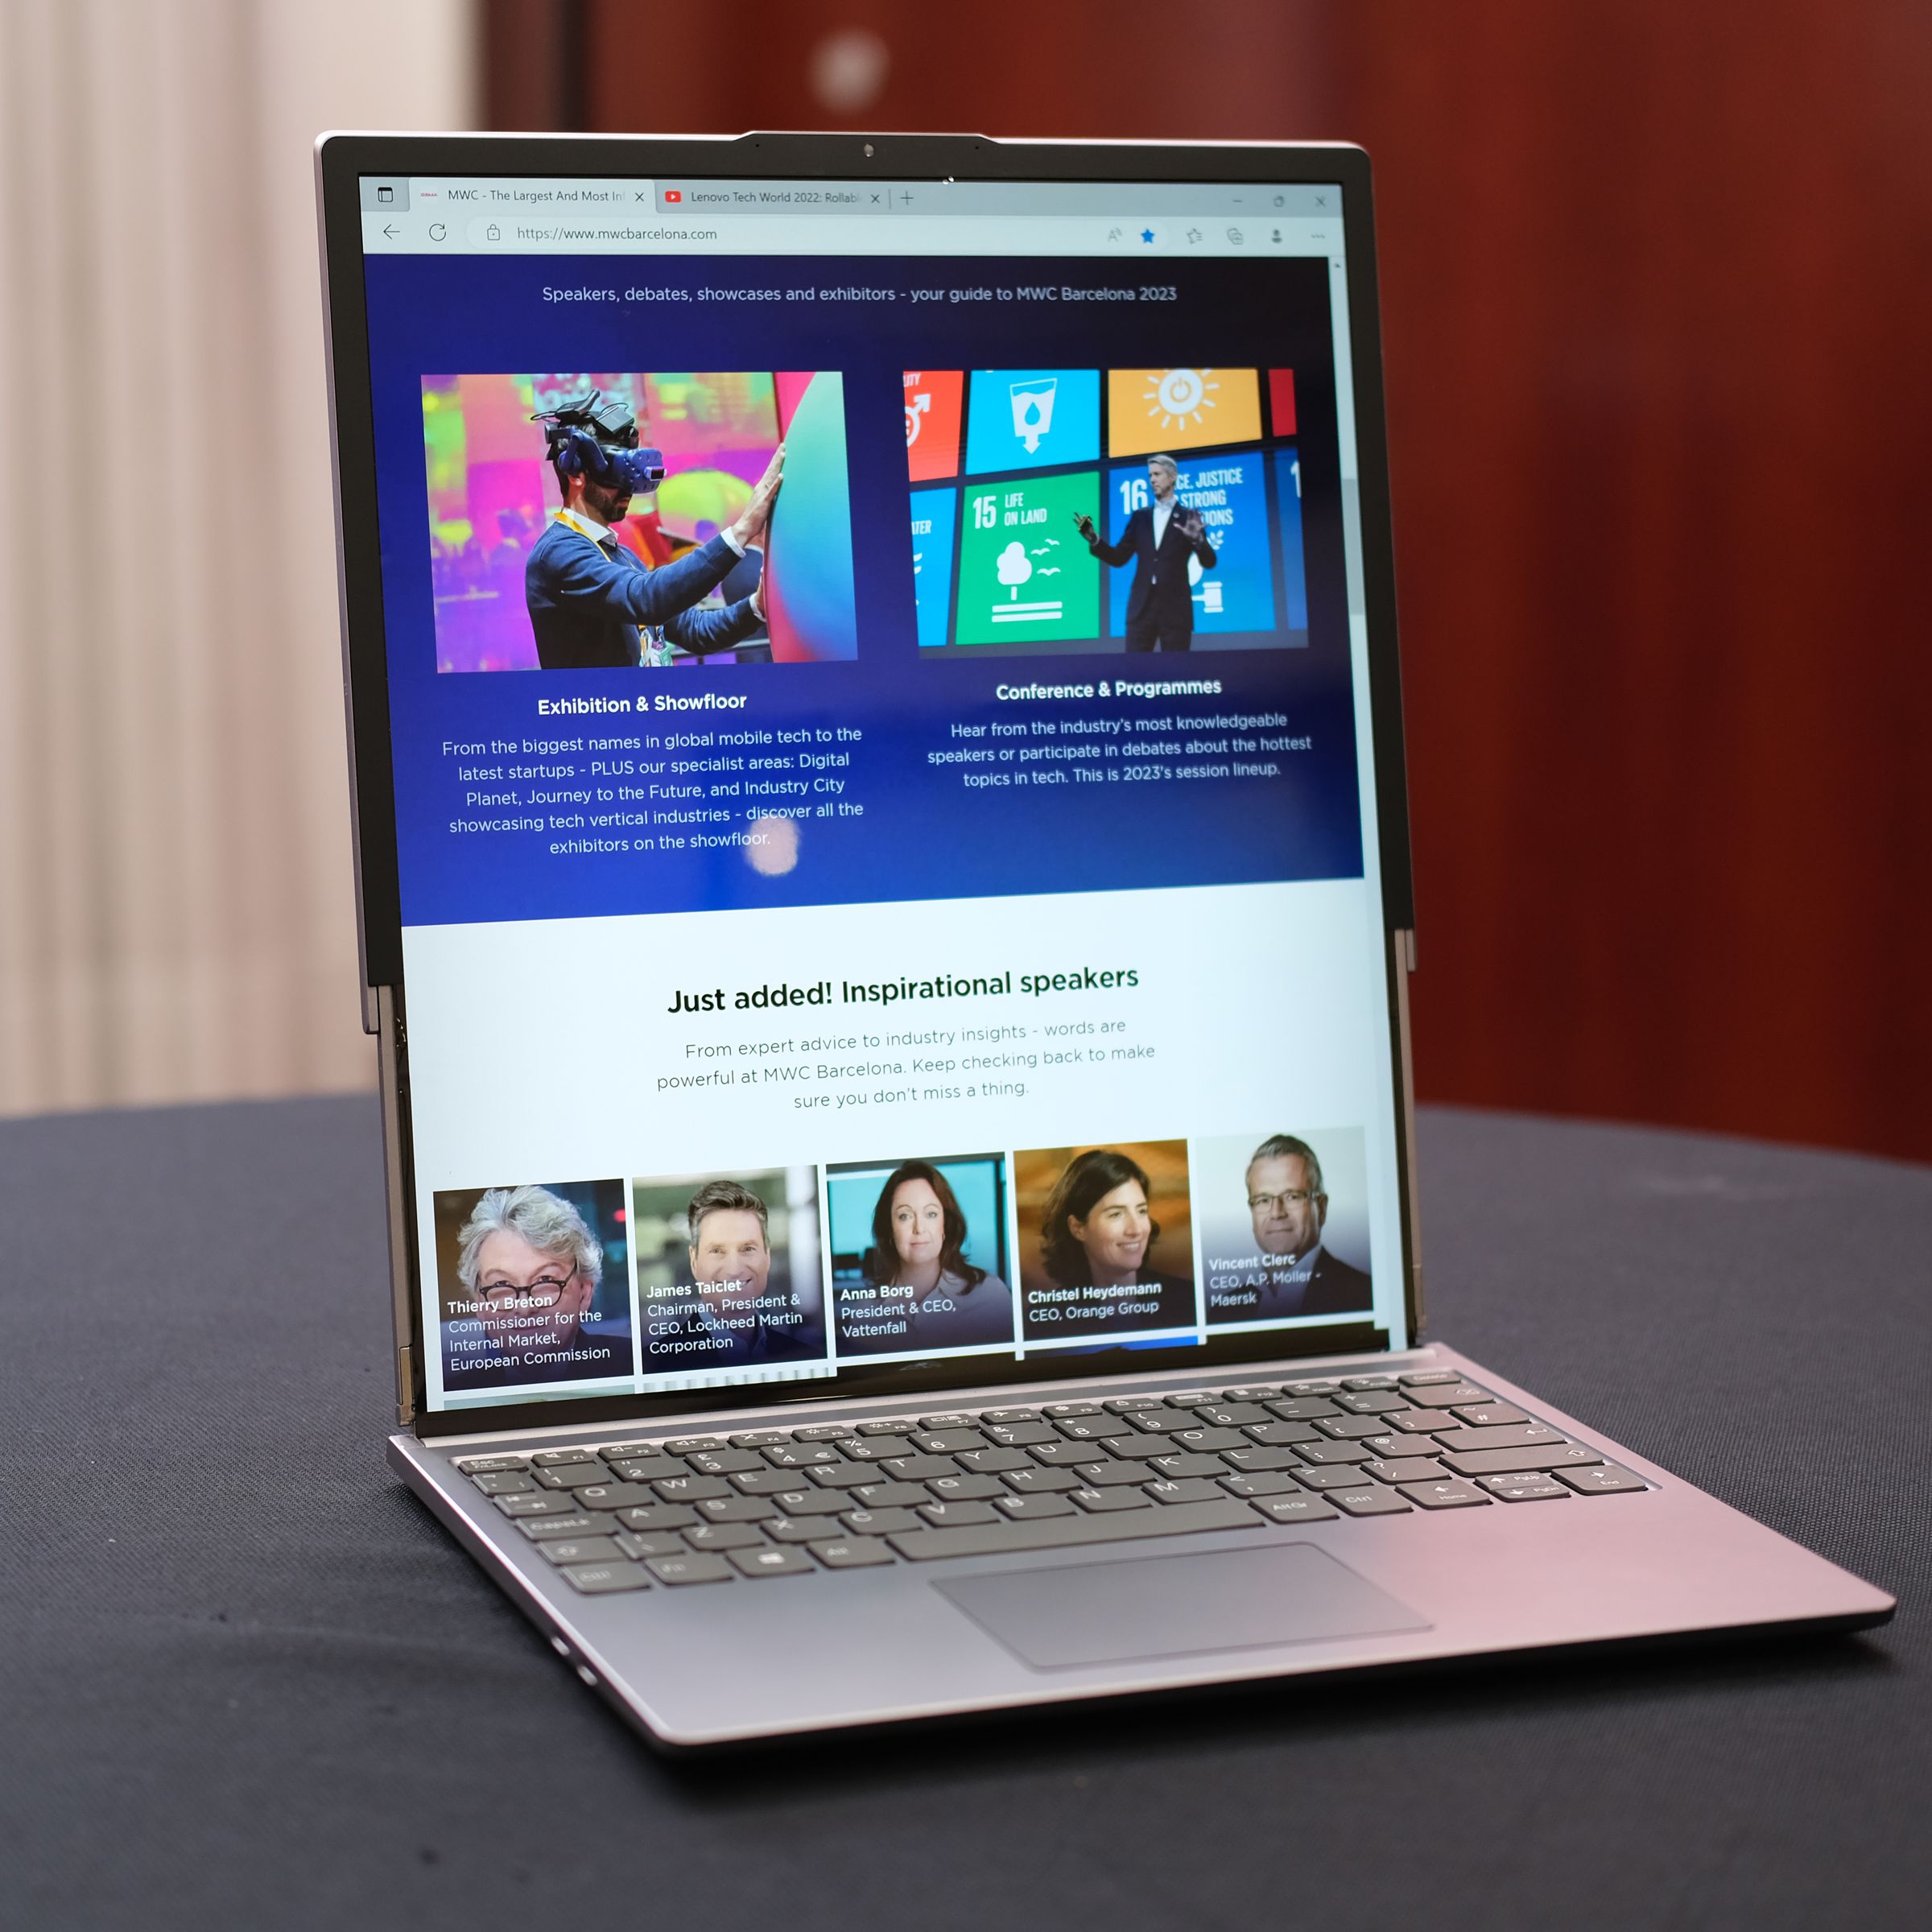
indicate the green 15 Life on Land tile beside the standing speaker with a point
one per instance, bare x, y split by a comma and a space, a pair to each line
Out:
1025, 573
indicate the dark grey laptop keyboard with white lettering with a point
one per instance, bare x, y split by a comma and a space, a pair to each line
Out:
700, 1510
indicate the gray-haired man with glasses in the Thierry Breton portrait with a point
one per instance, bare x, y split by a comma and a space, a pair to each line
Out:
530, 1270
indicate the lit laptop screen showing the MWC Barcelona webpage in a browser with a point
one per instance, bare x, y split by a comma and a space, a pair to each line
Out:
884, 781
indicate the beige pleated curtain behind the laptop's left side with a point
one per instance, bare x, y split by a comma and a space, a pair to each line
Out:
175, 867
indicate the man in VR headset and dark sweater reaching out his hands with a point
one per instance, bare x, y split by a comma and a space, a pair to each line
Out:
592, 600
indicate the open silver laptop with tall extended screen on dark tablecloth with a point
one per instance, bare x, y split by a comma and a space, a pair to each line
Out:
886, 913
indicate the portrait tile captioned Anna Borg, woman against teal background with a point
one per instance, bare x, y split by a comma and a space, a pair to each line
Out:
921, 1257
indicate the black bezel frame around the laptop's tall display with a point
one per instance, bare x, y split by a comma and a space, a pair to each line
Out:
343, 161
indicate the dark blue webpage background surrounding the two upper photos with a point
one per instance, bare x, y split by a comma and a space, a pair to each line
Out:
923, 834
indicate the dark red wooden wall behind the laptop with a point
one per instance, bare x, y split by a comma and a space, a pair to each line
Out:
1657, 302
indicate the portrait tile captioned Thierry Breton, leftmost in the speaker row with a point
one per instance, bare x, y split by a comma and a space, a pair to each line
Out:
536, 1286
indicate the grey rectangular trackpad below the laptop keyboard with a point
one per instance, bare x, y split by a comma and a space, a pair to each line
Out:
1178, 1606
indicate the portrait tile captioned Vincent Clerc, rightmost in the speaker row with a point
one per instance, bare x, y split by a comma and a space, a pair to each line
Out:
1274, 1243
